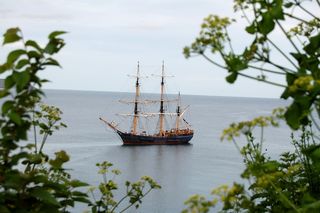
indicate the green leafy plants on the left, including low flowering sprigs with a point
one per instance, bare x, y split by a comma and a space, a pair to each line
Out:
31, 181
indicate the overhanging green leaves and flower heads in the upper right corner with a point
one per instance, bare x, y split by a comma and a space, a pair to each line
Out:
301, 66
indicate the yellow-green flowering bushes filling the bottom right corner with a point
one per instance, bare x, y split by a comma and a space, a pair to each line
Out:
290, 184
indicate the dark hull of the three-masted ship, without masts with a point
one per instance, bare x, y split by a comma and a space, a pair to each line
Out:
130, 139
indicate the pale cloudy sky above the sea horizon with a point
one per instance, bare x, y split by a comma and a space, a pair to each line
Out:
106, 38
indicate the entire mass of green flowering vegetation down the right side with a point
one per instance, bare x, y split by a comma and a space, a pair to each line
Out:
290, 183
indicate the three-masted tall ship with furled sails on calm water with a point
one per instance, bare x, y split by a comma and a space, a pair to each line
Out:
180, 131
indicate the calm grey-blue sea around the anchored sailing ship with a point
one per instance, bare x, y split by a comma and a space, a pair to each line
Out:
181, 170
